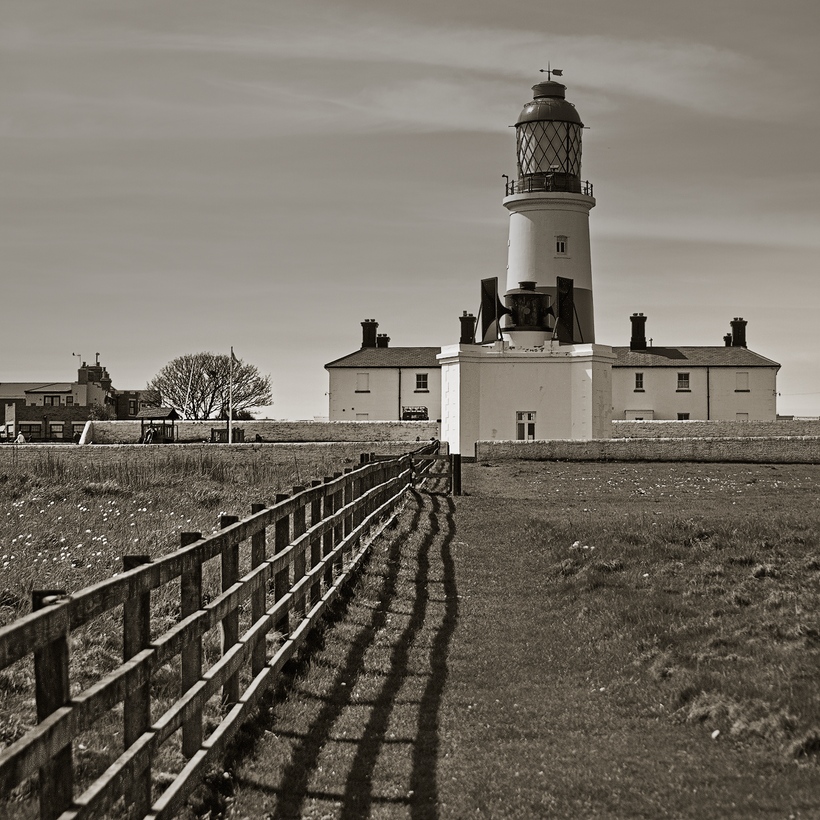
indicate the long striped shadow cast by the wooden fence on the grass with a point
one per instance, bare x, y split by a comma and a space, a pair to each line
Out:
358, 797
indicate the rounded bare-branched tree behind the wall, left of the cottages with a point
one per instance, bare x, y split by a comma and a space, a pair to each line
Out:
197, 385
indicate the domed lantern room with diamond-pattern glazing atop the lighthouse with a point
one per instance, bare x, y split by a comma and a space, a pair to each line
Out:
548, 141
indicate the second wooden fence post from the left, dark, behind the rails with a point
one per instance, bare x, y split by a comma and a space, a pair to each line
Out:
136, 636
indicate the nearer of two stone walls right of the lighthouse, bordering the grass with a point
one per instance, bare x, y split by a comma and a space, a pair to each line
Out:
754, 450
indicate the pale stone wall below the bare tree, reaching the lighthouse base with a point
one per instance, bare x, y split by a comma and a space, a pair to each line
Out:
128, 432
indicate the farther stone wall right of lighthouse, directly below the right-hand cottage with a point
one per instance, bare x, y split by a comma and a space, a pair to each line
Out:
715, 429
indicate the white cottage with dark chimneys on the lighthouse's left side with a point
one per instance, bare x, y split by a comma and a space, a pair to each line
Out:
383, 383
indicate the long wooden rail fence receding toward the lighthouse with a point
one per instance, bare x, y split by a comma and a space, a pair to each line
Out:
320, 534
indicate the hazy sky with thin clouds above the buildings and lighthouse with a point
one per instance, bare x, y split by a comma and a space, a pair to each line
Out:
188, 175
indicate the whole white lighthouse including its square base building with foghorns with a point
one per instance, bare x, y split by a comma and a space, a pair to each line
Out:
536, 372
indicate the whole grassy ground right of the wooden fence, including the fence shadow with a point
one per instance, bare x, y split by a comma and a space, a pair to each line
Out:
565, 641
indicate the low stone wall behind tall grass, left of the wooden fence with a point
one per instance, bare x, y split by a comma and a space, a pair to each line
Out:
42, 457
